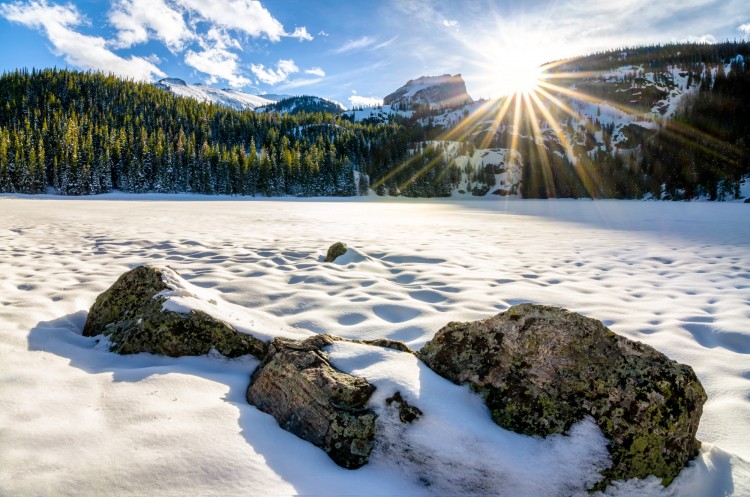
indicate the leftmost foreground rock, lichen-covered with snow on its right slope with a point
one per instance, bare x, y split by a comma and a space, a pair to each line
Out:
130, 313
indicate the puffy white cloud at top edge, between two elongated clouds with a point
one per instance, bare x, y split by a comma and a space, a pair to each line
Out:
135, 19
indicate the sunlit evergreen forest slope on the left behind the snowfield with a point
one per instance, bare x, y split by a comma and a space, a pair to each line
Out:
84, 133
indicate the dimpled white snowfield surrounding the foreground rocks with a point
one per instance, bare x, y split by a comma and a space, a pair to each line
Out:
77, 420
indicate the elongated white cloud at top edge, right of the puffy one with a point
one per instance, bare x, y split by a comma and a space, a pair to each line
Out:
248, 16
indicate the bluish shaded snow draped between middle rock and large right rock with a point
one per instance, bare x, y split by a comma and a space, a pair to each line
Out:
455, 448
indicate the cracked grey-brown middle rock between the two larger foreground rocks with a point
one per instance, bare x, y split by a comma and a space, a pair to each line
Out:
297, 385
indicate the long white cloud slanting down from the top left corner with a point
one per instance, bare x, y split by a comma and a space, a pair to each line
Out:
85, 52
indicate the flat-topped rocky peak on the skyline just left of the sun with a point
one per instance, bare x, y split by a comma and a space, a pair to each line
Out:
432, 91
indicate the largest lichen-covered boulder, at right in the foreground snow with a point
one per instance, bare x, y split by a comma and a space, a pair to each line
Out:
540, 369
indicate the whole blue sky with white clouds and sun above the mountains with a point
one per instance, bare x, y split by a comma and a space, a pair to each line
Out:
346, 50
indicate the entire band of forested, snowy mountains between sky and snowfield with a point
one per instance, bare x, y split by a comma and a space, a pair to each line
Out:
661, 122
